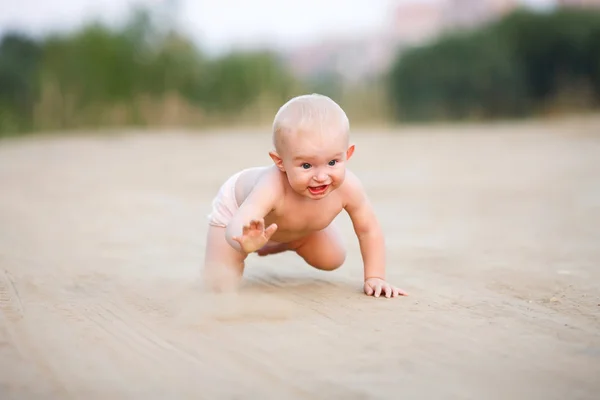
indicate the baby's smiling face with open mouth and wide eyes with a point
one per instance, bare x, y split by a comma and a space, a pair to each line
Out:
316, 164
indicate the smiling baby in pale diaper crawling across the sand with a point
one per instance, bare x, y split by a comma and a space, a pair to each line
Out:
290, 205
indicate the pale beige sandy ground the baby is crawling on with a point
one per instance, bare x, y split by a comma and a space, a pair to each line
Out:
493, 229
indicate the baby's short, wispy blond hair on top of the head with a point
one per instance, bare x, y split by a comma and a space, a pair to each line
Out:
308, 113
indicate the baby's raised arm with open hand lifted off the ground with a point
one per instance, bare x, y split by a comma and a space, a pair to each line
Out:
246, 231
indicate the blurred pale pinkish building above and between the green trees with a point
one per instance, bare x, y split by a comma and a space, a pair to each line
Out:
409, 23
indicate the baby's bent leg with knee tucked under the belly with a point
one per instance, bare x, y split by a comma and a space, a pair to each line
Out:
323, 249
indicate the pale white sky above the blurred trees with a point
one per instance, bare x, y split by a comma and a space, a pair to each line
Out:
215, 24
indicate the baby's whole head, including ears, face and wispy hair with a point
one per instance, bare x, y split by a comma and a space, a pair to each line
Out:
311, 140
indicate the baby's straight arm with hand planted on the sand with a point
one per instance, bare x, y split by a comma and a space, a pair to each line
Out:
370, 237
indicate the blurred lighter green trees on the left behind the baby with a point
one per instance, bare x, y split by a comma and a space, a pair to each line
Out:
139, 73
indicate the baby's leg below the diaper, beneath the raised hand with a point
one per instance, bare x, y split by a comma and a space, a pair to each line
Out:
223, 265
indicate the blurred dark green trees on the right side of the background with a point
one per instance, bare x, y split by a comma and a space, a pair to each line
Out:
511, 68
